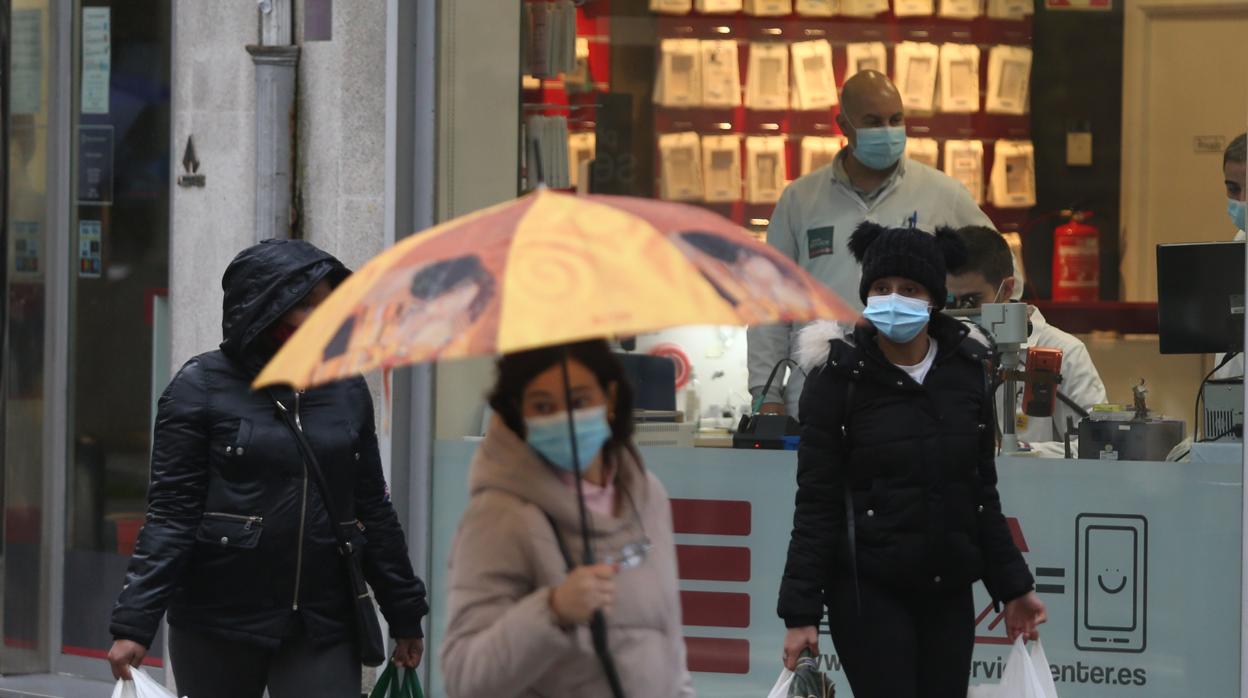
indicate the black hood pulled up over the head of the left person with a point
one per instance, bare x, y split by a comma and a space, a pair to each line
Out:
261, 285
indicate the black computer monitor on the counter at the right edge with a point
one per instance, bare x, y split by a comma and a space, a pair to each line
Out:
1201, 298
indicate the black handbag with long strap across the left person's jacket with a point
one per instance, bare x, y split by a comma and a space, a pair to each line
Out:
369, 631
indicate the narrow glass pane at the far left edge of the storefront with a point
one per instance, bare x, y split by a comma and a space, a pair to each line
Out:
24, 376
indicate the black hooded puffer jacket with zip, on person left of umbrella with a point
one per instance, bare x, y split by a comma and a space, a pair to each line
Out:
238, 540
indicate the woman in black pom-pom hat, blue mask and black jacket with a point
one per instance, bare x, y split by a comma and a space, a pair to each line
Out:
898, 513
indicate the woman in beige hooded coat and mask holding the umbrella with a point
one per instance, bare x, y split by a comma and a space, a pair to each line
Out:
519, 615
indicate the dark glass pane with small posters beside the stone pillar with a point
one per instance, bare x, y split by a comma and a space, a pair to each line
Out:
120, 187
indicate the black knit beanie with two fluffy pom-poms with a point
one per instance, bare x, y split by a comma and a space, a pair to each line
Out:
908, 253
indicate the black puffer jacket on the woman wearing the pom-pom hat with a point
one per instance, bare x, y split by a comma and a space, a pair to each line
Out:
920, 460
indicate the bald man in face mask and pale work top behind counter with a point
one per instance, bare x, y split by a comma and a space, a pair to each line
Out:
870, 180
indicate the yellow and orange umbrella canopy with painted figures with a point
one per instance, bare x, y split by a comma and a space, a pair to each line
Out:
542, 270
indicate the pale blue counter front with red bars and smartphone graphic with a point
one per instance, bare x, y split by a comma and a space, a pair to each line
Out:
1135, 609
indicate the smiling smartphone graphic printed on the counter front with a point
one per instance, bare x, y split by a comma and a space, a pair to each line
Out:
1111, 589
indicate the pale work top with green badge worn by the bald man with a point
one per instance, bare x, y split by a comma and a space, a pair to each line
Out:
812, 225
